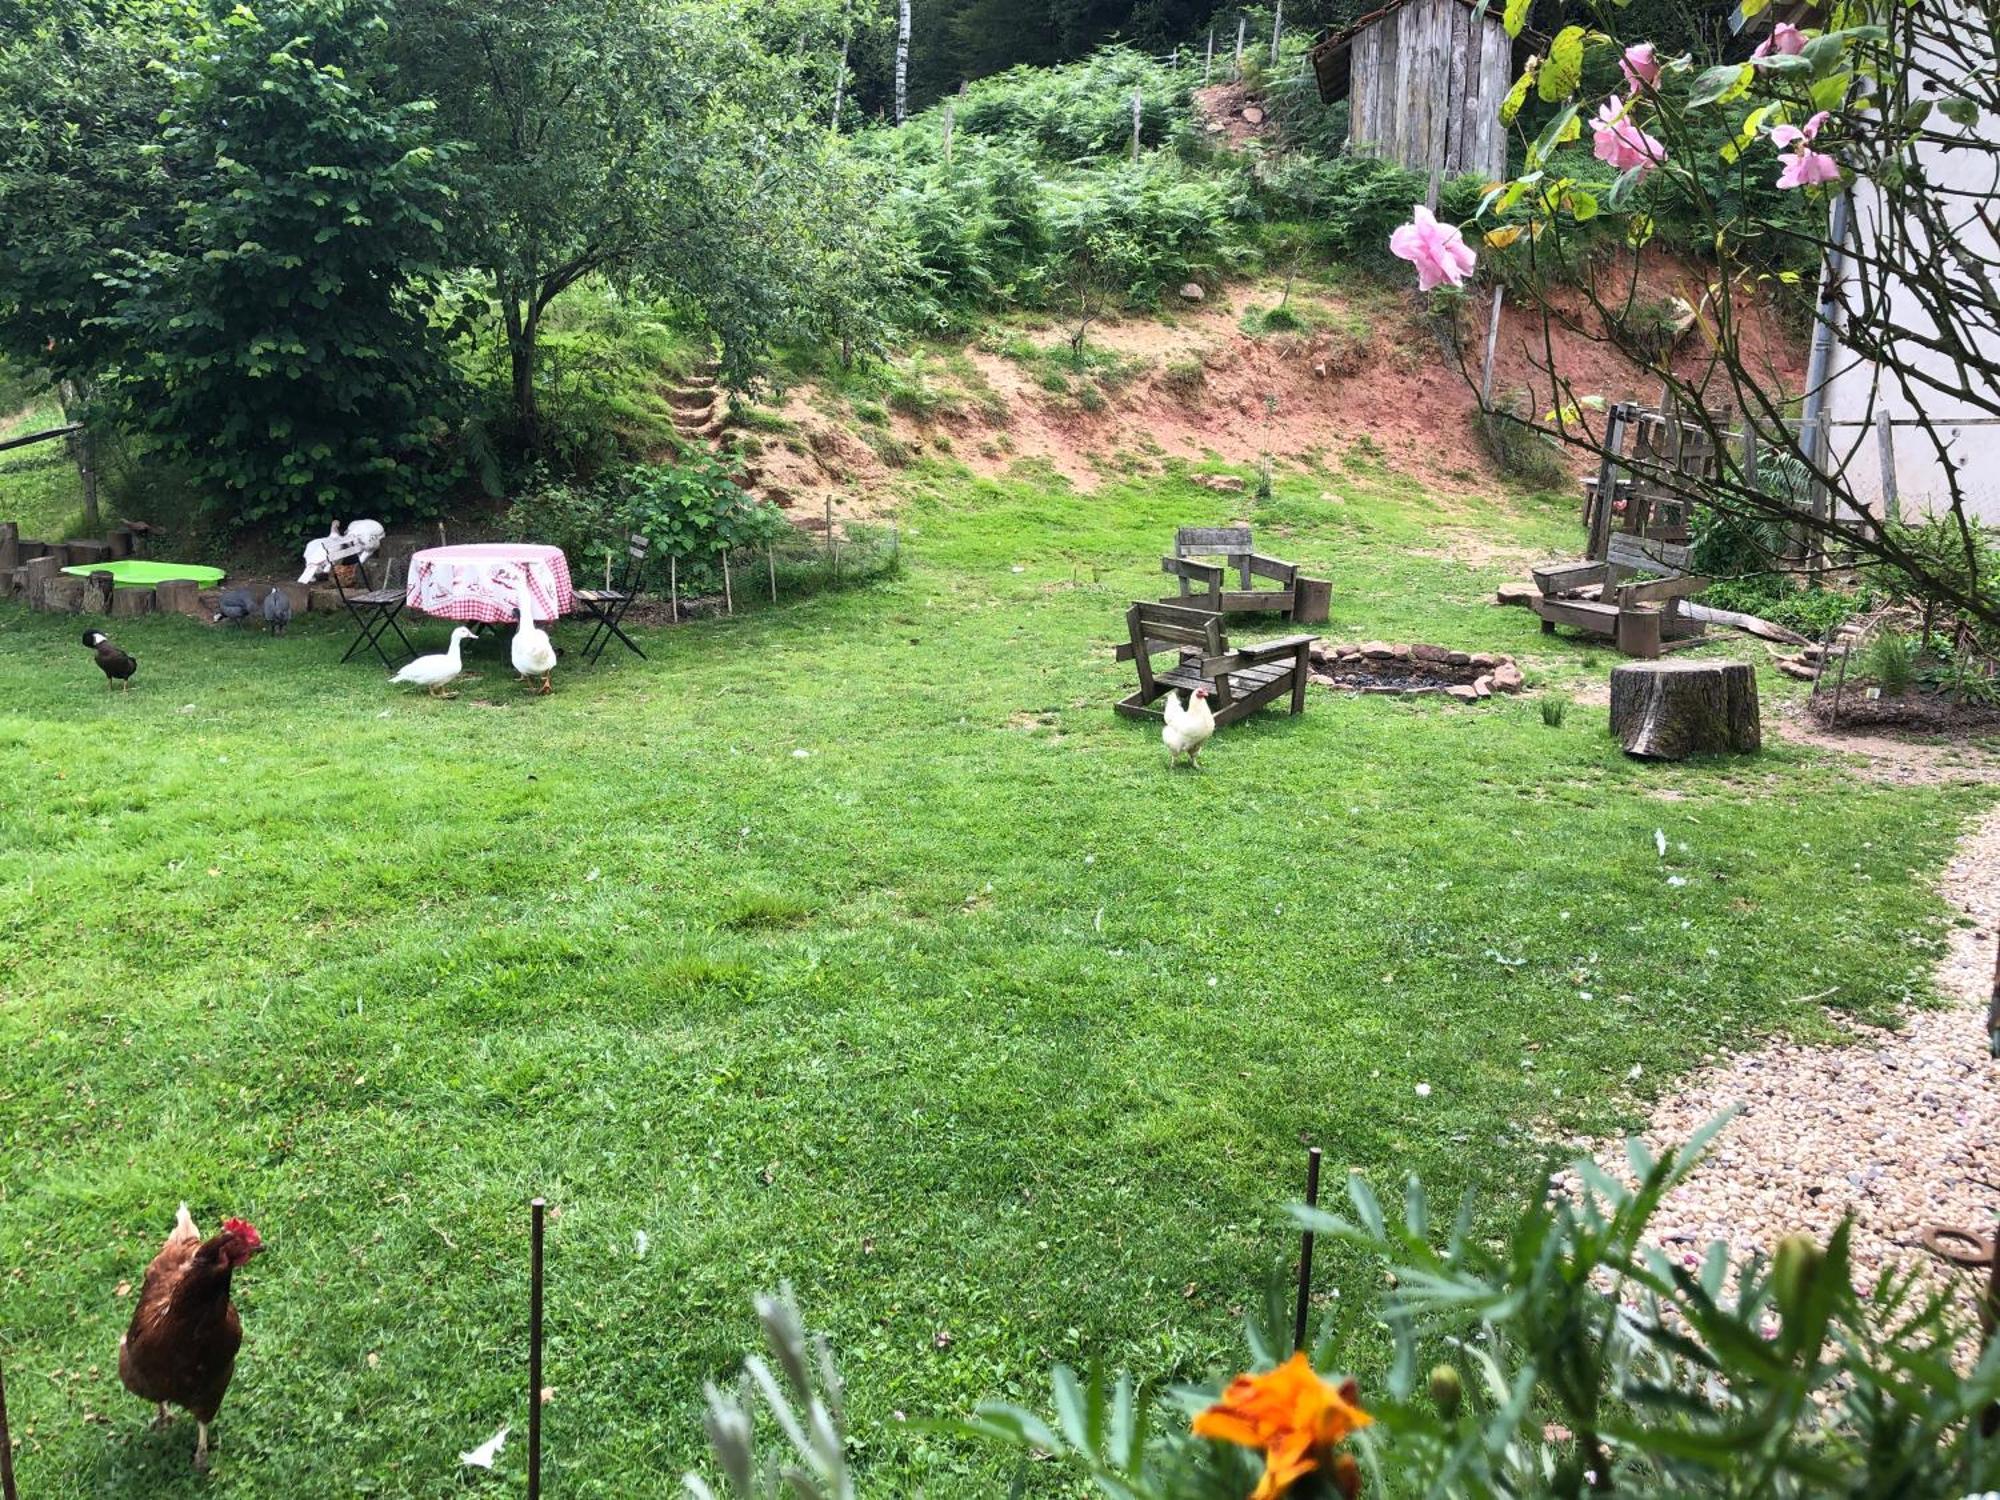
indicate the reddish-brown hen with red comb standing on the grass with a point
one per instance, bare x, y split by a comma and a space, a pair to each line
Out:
181, 1349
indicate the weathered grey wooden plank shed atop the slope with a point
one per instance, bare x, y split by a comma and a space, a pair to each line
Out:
1423, 81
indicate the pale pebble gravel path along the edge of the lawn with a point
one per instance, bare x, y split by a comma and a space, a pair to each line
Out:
1899, 1129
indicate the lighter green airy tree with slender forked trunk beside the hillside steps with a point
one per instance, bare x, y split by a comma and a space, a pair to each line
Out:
633, 139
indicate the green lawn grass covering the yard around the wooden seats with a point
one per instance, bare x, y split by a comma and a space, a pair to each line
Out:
851, 943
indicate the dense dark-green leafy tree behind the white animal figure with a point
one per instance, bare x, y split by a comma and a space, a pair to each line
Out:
279, 335
